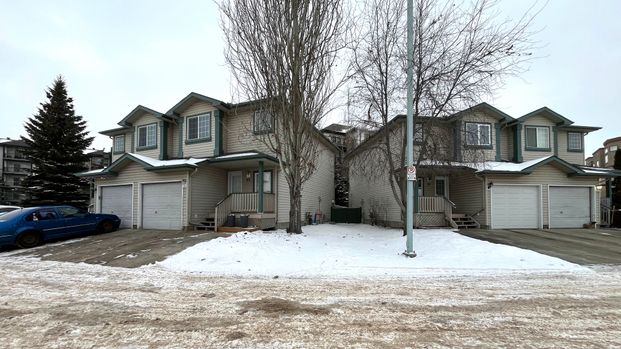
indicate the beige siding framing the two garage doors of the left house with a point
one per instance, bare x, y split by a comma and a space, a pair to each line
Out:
136, 175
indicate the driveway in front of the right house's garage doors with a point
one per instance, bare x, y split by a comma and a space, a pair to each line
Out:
581, 246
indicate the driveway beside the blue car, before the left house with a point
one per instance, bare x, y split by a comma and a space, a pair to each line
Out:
124, 248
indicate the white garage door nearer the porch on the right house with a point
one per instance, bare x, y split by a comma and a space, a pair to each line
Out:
515, 206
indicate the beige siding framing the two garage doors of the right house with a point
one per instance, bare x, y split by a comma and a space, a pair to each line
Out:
546, 175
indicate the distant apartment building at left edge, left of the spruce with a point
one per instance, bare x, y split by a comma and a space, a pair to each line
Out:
15, 168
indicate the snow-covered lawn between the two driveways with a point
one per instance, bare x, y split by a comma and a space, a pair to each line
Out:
358, 251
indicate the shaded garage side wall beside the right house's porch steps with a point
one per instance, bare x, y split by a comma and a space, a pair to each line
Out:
468, 194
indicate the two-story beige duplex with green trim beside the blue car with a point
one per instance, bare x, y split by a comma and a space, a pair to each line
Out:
200, 162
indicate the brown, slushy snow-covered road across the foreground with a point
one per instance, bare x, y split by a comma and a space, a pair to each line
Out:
47, 304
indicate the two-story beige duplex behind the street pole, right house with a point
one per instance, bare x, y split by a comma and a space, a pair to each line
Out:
491, 170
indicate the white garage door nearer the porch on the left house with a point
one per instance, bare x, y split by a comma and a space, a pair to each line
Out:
161, 206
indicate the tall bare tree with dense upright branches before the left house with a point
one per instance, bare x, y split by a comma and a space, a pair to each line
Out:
282, 54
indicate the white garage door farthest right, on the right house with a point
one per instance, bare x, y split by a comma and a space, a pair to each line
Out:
570, 207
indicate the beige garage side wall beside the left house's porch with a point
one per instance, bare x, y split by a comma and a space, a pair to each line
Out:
207, 187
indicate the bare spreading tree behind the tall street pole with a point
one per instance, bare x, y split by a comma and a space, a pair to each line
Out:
462, 54
